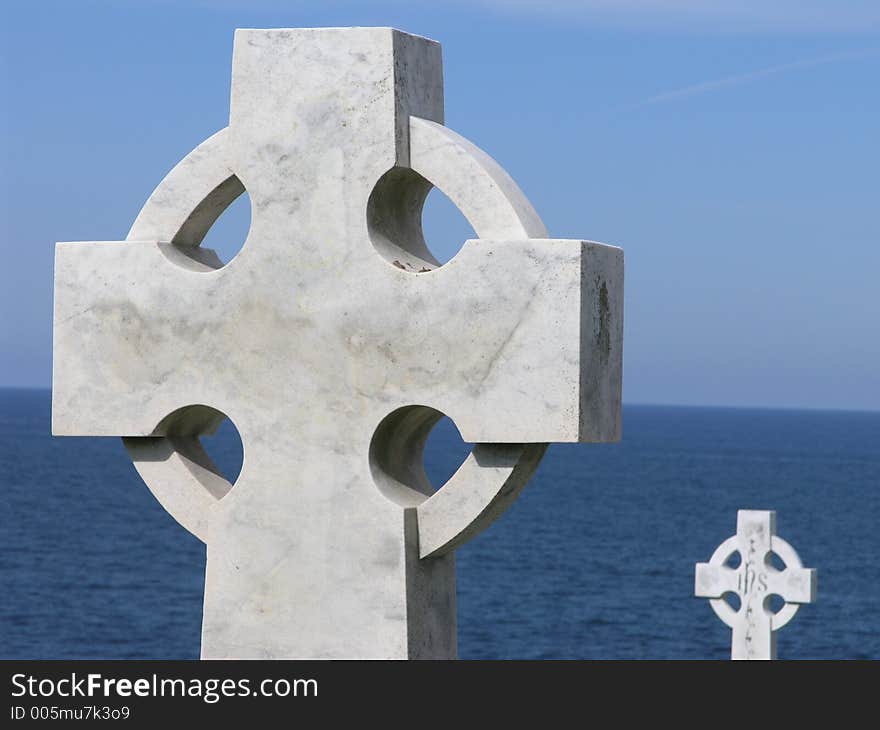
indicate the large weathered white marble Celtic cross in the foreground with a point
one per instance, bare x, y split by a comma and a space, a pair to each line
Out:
335, 341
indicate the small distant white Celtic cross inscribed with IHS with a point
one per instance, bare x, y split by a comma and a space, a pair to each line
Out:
755, 580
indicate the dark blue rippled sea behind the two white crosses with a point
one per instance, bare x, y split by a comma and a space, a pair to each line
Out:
595, 559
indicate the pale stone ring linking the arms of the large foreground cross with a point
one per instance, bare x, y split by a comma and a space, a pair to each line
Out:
199, 189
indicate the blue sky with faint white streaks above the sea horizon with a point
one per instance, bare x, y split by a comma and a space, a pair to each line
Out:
732, 149
